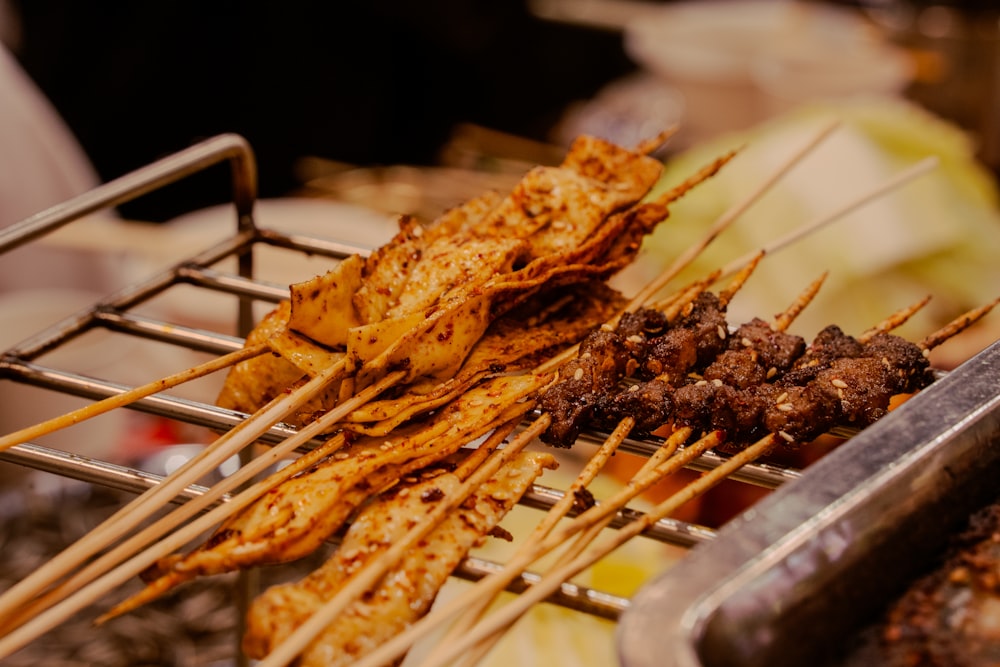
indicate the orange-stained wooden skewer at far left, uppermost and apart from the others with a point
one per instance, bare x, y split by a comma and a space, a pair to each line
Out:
125, 398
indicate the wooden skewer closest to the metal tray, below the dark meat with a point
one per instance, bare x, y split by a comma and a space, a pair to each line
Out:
551, 581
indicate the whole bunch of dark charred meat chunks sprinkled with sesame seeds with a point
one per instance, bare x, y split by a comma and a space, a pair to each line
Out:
763, 380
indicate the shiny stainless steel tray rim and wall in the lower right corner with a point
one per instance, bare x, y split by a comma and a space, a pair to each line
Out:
796, 578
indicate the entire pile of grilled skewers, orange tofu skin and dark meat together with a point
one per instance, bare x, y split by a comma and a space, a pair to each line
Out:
451, 333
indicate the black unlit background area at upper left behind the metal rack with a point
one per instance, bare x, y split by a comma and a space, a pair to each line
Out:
367, 83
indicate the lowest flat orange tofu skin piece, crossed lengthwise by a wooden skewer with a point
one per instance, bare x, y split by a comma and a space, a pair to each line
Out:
407, 591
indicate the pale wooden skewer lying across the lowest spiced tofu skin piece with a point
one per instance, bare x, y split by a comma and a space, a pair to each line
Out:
370, 574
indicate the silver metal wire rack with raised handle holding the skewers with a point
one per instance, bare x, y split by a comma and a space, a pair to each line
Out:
119, 313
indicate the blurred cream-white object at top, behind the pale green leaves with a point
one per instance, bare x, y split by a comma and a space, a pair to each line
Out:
738, 62
